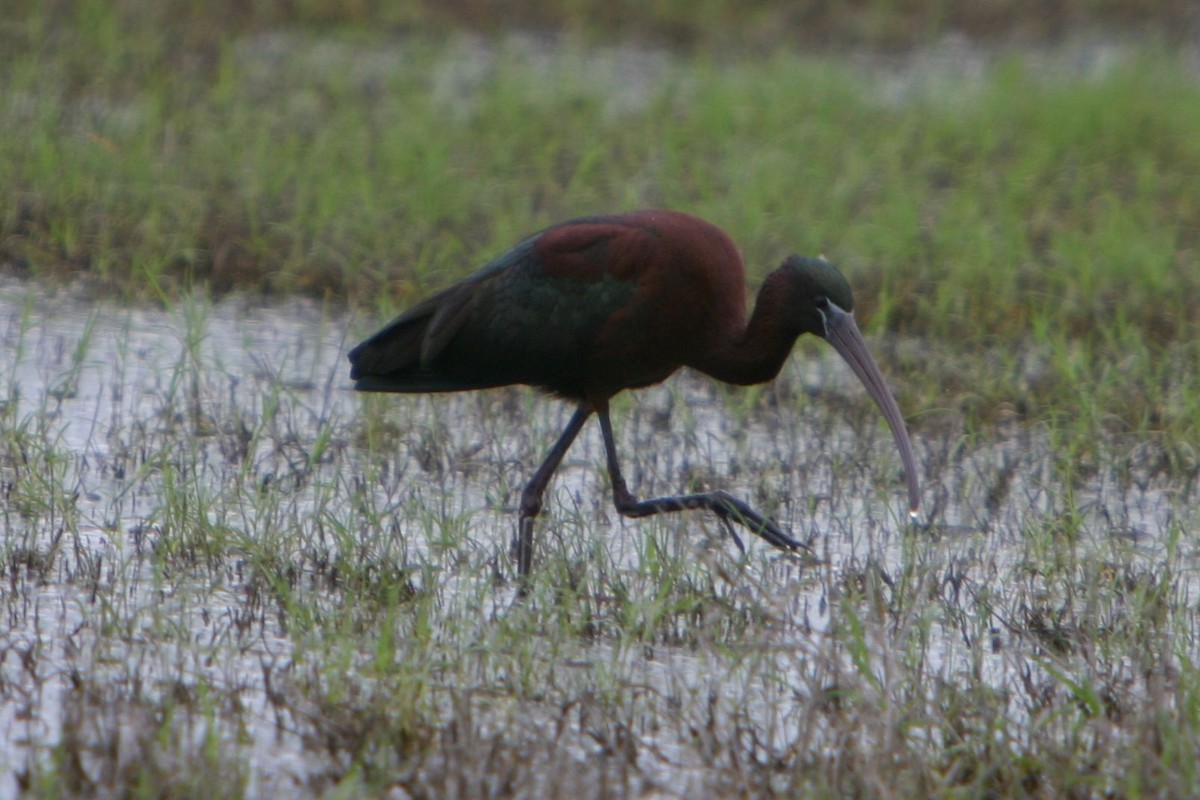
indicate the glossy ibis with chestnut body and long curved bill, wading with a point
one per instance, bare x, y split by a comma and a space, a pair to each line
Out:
596, 305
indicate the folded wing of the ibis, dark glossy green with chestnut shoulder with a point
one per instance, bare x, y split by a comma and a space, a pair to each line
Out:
537, 315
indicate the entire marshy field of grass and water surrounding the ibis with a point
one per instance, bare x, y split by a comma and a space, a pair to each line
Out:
224, 574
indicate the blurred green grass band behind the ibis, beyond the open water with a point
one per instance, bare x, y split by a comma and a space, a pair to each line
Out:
1001, 177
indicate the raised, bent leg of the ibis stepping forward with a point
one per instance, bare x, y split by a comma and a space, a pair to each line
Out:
724, 506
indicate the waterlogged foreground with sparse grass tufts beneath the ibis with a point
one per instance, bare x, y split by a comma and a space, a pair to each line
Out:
225, 569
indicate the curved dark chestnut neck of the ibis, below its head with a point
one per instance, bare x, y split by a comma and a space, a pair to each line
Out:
759, 352
